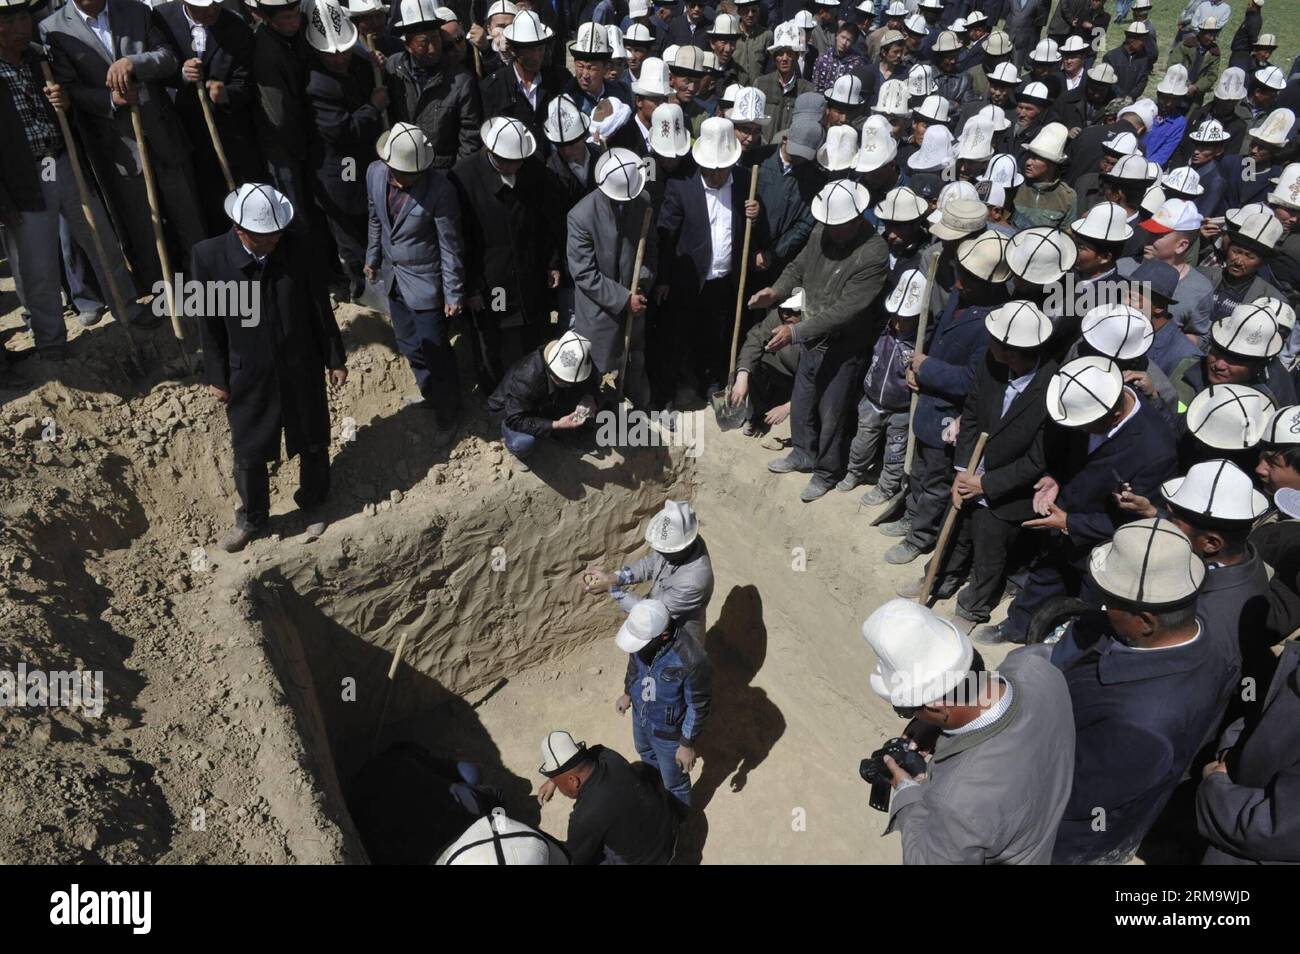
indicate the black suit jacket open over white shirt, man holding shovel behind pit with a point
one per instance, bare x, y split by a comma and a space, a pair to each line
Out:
684, 228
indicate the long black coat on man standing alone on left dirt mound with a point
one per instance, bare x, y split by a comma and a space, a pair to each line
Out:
272, 362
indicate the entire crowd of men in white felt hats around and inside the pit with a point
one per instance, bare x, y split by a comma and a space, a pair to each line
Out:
1034, 296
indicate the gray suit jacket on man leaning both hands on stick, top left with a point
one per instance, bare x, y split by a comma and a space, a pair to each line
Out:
81, 64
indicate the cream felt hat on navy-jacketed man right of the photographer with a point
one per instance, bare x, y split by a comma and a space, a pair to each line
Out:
1147, 565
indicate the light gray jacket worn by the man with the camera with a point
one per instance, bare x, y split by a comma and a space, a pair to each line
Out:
996, 796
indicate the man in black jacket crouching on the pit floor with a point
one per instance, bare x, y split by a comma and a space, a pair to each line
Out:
619, 817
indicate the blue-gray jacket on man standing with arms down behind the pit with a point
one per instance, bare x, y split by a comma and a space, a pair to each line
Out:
423, 251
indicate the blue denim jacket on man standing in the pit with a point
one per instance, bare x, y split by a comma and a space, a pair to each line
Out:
674, 690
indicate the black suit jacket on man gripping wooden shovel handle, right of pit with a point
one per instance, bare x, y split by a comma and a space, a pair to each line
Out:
1015, 456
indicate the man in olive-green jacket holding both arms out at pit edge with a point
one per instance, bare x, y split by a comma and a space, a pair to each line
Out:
840, 270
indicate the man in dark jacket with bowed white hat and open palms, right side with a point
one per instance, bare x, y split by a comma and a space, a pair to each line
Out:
1113, 441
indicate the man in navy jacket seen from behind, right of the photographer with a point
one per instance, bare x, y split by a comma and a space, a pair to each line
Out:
1150, 671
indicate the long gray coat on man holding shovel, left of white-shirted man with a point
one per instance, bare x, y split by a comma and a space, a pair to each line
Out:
601, 250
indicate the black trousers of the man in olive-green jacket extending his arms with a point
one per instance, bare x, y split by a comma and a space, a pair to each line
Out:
822, 406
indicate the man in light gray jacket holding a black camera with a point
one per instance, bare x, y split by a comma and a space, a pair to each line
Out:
1000, 744
